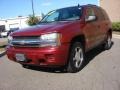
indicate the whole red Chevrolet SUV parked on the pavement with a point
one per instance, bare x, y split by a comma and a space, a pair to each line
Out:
61, 38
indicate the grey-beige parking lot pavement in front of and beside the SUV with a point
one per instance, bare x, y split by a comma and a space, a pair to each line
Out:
101, 72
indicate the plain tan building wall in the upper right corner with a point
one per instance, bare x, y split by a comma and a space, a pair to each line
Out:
112, 7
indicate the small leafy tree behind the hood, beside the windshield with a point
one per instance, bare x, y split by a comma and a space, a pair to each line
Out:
33, 20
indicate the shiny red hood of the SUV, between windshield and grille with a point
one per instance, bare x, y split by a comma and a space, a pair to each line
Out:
42, 28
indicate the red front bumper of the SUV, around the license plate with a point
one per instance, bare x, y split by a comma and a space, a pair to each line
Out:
47, 56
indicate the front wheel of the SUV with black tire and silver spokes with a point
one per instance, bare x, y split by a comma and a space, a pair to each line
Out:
76, 58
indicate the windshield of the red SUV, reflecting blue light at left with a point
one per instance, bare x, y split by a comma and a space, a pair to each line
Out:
66, 14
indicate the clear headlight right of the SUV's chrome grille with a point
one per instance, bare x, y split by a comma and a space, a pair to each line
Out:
52, 39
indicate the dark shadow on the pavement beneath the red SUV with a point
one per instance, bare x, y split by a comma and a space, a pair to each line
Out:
89, 57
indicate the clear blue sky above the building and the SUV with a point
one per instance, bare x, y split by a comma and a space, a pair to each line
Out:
14, 8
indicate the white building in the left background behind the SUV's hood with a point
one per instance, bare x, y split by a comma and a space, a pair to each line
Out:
13, 23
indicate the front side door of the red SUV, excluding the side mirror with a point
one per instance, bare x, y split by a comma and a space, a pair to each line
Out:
91, 29
